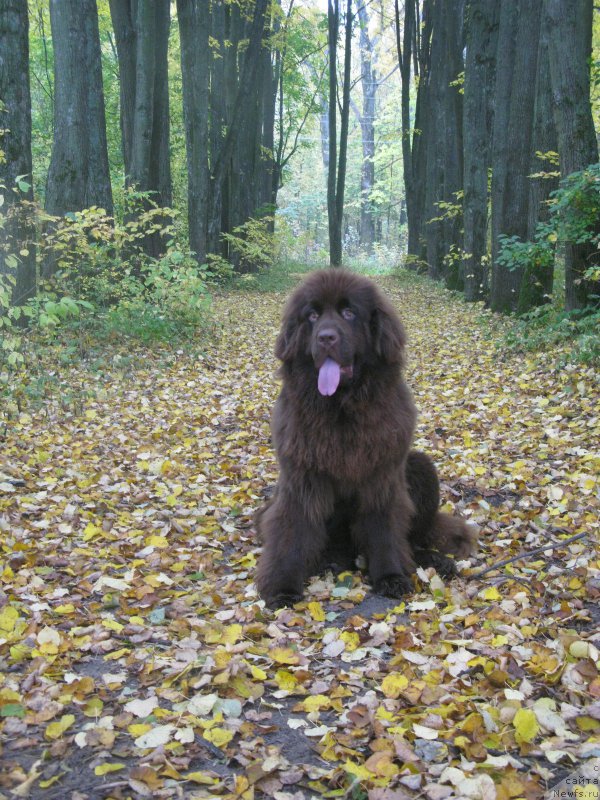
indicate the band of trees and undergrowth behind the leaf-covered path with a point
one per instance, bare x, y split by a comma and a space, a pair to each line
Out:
205, 138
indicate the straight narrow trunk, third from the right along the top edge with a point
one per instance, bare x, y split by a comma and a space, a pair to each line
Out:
481, 21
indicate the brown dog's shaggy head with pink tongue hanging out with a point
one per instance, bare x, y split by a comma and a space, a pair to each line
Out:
336, 323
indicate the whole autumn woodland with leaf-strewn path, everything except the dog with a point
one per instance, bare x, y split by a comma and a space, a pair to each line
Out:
167, 173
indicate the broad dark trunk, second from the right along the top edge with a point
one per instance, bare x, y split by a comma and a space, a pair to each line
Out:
520, 25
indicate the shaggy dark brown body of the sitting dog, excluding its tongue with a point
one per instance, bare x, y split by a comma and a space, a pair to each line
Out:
349, 482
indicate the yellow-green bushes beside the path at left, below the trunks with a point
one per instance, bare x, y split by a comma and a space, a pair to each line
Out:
102, 287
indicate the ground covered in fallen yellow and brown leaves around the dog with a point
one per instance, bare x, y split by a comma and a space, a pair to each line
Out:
137, 661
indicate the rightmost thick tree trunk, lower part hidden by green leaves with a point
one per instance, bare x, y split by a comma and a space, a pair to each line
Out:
570, 40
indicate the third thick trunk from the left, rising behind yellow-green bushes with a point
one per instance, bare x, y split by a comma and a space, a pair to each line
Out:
142, 36
